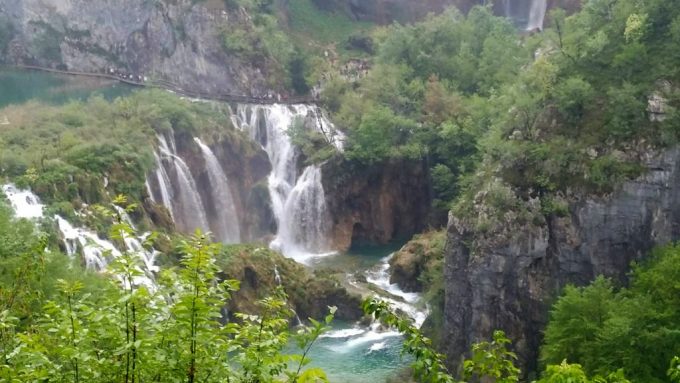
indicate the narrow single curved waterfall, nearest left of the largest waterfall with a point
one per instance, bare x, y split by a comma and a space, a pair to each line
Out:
227, 229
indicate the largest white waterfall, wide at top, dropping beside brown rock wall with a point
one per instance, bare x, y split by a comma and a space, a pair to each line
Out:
298, 204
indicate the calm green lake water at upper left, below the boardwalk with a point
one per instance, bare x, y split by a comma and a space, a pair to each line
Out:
19, 86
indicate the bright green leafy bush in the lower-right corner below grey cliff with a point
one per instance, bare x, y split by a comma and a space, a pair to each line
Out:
606, 328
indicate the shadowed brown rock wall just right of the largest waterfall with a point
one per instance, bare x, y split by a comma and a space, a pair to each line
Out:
376, 204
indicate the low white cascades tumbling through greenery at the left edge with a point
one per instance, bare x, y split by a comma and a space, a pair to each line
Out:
96, 252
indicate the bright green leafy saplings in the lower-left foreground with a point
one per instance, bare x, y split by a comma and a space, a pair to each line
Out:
144, 327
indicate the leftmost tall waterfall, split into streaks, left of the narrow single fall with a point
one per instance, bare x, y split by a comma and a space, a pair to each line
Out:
187, 207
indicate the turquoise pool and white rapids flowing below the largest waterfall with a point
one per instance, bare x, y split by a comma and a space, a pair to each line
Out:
363, 353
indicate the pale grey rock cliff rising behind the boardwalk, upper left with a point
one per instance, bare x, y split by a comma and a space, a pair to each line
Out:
176, 41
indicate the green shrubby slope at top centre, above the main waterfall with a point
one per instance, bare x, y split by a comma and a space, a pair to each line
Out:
290, 41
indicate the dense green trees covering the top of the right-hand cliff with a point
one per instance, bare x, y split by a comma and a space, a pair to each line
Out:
560, 112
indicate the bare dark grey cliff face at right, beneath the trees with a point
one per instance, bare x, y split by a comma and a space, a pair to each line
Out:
509, 283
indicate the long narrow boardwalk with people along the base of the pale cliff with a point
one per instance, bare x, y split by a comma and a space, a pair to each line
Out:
168, 85
